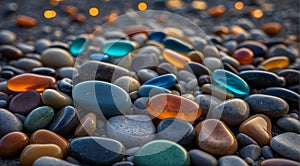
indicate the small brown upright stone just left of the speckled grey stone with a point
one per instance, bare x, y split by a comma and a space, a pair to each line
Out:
87, 125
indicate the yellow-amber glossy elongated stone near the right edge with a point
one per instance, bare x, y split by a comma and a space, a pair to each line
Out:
280, 62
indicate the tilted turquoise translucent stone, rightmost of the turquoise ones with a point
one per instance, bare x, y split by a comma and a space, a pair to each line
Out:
233, 83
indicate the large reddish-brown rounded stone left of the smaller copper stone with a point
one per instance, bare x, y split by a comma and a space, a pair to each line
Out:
215, 137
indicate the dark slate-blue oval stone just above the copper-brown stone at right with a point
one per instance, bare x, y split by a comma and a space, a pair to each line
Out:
272, 106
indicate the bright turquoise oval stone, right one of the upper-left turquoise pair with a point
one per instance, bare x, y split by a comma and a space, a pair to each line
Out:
117, 48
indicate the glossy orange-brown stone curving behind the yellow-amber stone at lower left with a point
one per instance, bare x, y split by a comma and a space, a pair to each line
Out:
43, 136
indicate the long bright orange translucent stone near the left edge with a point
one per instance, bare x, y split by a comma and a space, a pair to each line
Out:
28, 81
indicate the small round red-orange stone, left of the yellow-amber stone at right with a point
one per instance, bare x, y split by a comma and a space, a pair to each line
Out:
244, 55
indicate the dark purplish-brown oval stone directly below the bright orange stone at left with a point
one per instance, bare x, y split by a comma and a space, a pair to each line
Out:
25, 102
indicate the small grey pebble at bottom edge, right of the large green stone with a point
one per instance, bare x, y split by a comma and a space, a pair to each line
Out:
201, 158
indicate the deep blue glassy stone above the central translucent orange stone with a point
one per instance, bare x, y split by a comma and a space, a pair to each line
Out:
164, 81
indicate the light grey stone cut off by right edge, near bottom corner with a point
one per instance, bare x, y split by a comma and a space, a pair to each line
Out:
287, 145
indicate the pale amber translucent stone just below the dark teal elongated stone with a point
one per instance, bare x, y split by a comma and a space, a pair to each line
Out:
175, 58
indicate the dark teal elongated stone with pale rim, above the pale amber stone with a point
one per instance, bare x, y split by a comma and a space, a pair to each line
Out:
177, 45
